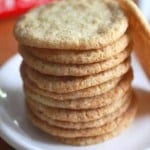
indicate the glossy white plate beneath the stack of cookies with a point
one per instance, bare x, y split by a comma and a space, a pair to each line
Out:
18, 132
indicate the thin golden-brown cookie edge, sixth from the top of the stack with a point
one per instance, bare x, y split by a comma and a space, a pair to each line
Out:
88, 103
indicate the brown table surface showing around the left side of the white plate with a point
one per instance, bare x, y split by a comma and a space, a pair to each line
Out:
8, 47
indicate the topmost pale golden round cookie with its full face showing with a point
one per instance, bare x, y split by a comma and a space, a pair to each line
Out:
69, 24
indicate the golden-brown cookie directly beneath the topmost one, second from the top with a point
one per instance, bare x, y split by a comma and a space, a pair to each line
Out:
79, 57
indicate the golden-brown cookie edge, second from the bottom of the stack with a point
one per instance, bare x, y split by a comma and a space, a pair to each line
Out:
72, 133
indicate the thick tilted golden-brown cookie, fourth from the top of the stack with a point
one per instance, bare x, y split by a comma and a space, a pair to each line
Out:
70, 84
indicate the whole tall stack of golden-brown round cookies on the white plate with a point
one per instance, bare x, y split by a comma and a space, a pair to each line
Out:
76, 70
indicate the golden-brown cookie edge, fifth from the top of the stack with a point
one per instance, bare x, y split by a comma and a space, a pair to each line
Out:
117, 85
